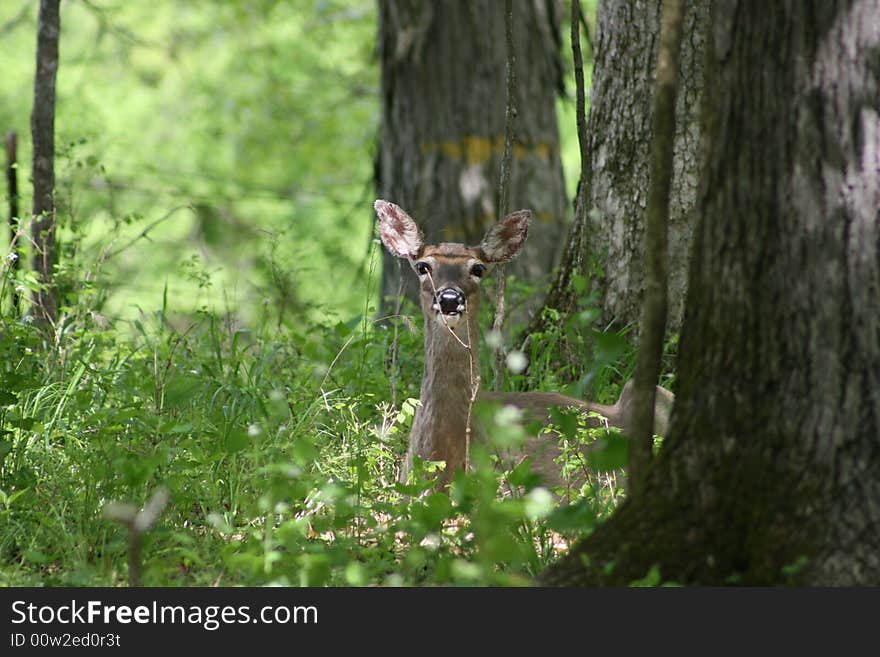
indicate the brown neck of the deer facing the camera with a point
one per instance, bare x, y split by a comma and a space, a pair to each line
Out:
451, 372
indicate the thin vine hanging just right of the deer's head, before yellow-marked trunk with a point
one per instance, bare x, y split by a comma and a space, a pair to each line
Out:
504, 188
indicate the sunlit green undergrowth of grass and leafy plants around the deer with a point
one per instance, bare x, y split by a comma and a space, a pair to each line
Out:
279, 447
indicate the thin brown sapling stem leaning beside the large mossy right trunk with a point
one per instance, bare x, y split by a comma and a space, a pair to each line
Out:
653, 319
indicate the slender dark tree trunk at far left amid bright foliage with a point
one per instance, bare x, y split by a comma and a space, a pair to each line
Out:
43, 170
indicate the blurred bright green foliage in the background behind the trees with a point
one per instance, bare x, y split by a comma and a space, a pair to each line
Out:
239, 135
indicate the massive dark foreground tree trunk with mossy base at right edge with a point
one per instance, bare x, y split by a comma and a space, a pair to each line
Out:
770, 472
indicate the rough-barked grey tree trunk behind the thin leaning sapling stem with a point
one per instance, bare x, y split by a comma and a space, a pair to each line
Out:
609, 229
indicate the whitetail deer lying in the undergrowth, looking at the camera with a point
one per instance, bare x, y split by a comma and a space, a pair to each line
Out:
449, 276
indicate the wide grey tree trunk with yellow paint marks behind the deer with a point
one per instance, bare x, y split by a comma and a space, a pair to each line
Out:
443, 115
